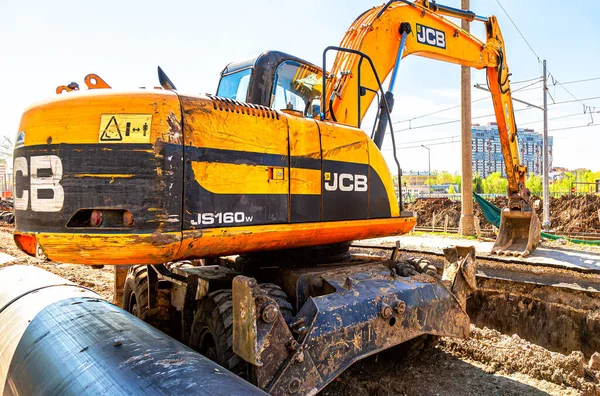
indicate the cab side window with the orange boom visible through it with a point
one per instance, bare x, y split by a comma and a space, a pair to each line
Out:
296, 87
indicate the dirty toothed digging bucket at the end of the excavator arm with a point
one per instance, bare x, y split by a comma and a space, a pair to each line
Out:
519, 233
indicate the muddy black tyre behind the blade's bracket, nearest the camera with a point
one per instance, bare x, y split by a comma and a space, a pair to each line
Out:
212, 330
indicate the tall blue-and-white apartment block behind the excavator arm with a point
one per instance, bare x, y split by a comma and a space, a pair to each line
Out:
487, 152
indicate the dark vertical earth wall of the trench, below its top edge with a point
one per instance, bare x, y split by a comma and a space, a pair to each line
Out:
559, 319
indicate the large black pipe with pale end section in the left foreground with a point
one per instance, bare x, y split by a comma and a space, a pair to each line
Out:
60, 338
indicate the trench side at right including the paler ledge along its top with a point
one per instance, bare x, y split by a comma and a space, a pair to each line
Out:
553, 308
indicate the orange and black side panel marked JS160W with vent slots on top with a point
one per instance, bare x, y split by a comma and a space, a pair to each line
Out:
236, 164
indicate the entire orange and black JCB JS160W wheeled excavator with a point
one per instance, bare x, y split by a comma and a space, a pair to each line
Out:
274, 170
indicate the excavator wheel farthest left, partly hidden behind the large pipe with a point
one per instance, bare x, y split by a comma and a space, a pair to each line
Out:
135, 299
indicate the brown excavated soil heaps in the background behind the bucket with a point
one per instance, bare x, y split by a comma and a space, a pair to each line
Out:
568, 213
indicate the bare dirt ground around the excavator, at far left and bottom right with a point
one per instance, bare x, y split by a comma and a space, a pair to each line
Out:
489, 363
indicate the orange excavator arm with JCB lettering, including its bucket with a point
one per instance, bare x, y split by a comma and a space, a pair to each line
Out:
397, 29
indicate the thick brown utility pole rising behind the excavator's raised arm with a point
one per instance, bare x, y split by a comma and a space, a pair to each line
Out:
466, 218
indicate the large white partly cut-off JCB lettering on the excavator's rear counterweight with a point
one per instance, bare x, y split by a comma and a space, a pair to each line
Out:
45, 174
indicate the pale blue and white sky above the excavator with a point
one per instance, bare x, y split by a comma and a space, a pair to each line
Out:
46, 44
